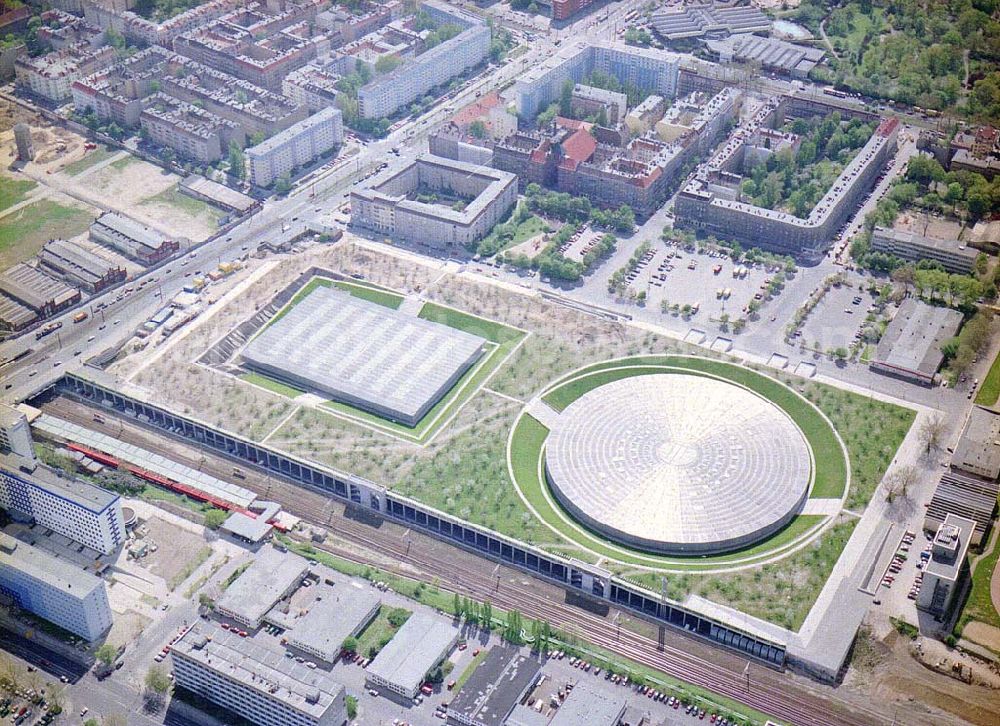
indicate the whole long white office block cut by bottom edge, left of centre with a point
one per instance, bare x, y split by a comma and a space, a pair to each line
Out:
255, 682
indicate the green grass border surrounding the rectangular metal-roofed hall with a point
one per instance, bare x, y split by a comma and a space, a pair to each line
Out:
502, 340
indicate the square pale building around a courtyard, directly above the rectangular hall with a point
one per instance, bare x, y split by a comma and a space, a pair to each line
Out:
389, 205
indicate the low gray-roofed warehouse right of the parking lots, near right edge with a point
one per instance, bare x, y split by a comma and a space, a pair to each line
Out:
912, 341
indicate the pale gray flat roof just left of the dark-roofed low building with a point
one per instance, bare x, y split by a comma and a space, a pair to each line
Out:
417, 647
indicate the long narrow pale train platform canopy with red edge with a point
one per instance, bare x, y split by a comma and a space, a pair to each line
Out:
232, 494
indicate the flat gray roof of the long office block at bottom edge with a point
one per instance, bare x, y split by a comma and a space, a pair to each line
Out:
310, 691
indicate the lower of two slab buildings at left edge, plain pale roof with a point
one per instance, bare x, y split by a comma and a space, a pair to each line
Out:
54, 589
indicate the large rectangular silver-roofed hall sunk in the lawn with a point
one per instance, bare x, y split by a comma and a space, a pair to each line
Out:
364, 354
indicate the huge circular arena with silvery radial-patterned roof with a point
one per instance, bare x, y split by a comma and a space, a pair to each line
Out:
678, 463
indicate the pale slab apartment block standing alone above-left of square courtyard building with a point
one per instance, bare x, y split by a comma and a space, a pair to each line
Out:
296, 146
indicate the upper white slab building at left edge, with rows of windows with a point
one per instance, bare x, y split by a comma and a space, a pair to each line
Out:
86, 514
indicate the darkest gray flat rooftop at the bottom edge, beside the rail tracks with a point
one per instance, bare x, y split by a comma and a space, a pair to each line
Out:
496, 686
